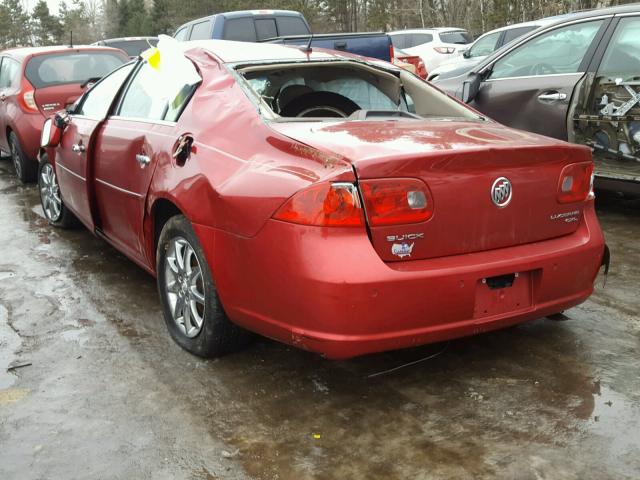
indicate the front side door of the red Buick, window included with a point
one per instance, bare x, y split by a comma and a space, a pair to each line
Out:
77, 145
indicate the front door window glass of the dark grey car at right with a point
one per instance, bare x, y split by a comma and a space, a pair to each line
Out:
560, 51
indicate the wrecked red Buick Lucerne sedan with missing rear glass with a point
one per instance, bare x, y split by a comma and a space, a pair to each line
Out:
334, 203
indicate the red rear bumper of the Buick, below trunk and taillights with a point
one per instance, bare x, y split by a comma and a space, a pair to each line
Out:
329, 292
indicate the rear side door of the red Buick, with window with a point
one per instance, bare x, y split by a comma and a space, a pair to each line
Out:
128, 149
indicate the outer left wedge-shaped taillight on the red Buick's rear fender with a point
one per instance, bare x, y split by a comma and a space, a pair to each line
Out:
324, 204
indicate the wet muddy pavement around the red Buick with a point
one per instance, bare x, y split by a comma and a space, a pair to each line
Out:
98, 389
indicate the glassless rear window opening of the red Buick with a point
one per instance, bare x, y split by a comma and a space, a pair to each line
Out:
330, 90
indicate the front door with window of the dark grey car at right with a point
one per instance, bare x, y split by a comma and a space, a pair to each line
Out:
531, 86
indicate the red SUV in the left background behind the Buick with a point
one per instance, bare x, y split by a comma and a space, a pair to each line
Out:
37, 82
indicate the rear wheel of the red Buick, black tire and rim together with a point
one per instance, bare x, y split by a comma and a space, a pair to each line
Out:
192, 309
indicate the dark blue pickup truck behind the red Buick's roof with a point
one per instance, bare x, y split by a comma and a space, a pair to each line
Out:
285, 27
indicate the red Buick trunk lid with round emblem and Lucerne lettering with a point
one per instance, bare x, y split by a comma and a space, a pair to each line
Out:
460, 162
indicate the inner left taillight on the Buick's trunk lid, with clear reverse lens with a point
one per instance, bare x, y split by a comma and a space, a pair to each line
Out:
396, 201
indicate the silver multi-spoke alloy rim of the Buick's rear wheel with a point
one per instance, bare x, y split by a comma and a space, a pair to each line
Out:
184, 287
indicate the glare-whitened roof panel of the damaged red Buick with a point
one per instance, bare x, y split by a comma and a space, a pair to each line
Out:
235, 52
